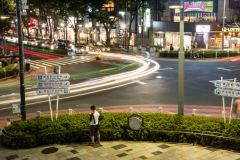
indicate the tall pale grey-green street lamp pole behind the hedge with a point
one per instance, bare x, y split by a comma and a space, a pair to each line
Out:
181, 55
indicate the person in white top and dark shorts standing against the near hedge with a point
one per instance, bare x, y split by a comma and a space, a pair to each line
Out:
94, 126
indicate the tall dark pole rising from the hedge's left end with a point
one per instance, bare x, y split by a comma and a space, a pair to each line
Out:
21, 54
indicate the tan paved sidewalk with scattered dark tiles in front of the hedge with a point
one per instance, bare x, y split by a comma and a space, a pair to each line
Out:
125, 150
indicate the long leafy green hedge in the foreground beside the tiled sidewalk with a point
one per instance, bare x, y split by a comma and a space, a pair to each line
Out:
71, 128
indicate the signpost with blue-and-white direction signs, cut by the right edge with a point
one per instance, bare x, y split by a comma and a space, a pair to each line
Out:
227, 89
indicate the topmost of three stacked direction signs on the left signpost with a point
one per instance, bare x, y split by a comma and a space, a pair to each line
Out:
46, 77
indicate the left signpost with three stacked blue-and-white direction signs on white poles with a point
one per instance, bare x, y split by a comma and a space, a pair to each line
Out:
53, 84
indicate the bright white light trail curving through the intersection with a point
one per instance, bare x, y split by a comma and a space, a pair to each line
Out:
111, 80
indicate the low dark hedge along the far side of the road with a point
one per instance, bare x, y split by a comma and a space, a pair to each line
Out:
204, 54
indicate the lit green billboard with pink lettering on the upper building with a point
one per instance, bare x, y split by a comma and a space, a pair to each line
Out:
198, 6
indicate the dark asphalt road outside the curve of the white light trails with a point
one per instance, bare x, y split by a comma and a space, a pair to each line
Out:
158, 88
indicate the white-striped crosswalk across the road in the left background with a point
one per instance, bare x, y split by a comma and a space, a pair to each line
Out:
61, 61
